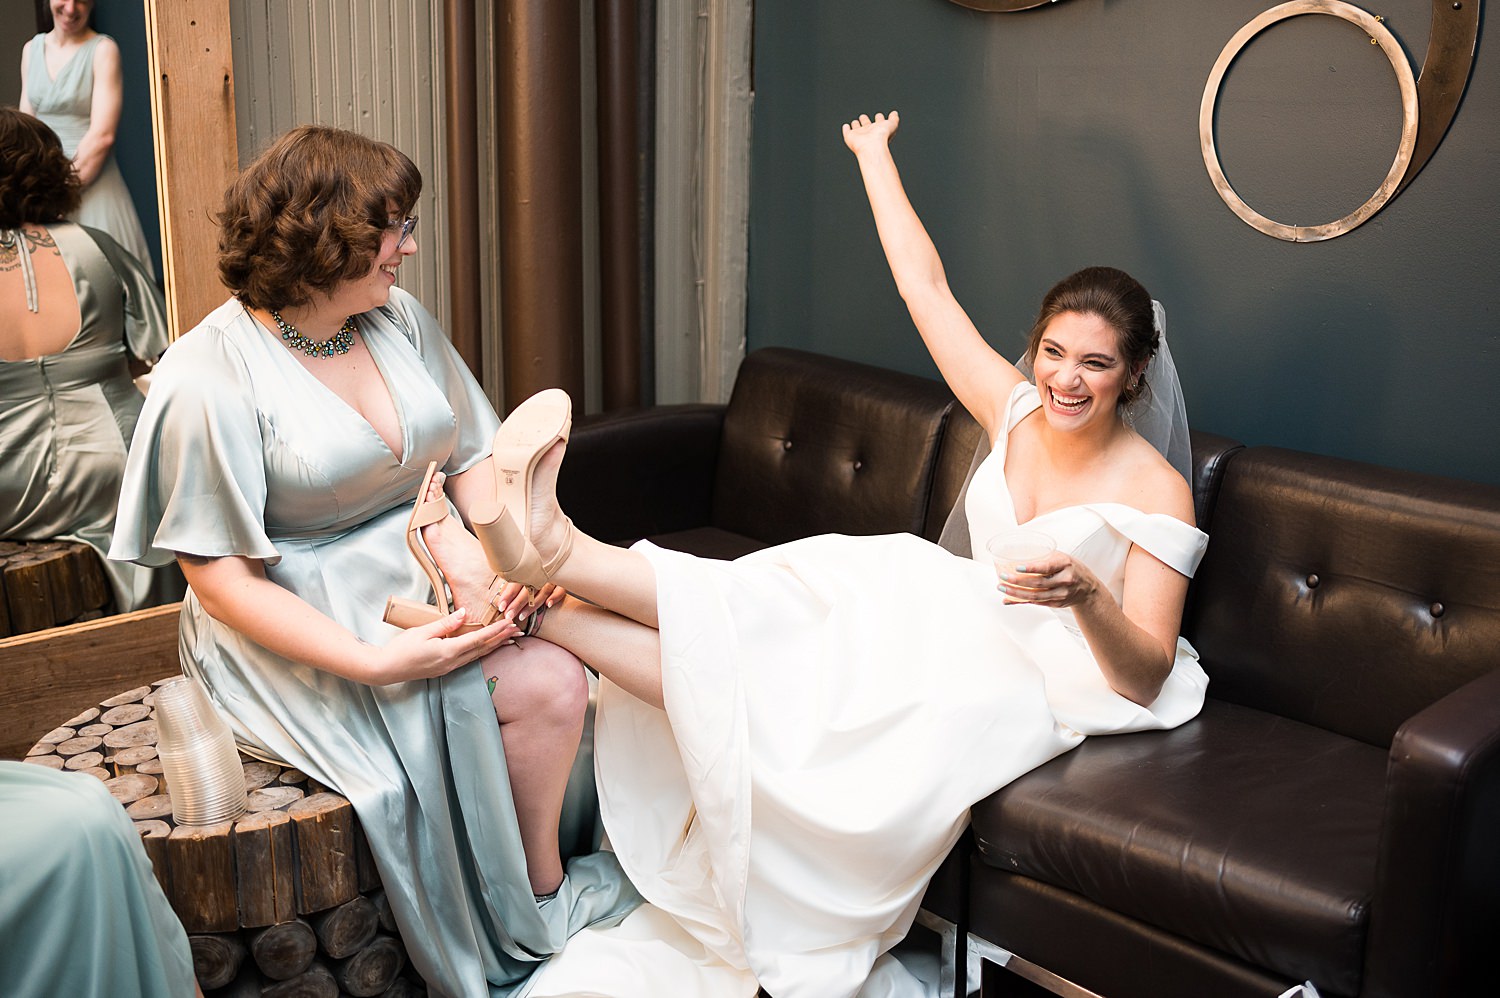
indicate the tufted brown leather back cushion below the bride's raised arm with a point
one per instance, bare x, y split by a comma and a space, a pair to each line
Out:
815, 445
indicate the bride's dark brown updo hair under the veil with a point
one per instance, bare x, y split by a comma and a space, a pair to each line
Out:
1120, 301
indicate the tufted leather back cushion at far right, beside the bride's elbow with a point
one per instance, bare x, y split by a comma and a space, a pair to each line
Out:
1345, 595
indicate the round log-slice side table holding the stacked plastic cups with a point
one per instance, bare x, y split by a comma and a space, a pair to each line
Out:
281, 903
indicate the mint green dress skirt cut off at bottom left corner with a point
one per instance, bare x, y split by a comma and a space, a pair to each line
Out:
82, 913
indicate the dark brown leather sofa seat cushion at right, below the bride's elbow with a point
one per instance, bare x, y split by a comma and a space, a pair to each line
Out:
1240, 831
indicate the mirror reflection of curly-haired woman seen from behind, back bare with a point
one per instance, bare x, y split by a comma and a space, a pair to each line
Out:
76, 314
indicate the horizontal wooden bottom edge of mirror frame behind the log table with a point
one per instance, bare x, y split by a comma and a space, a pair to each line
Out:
50, 676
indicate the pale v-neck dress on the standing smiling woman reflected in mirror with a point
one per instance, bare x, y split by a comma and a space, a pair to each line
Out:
65, 103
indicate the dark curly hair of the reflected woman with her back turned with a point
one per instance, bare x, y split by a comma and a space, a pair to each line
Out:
38, 182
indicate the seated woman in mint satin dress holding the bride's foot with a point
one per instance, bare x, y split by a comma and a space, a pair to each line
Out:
277, 461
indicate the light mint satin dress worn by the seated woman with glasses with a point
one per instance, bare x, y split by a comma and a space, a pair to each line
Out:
242, 452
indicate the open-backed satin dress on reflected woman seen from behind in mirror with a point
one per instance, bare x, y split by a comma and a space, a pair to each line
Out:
67, 418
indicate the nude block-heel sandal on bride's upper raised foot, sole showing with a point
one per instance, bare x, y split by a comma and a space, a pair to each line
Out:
503, 523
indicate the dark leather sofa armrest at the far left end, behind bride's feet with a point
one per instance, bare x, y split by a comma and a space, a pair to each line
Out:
643, 472
